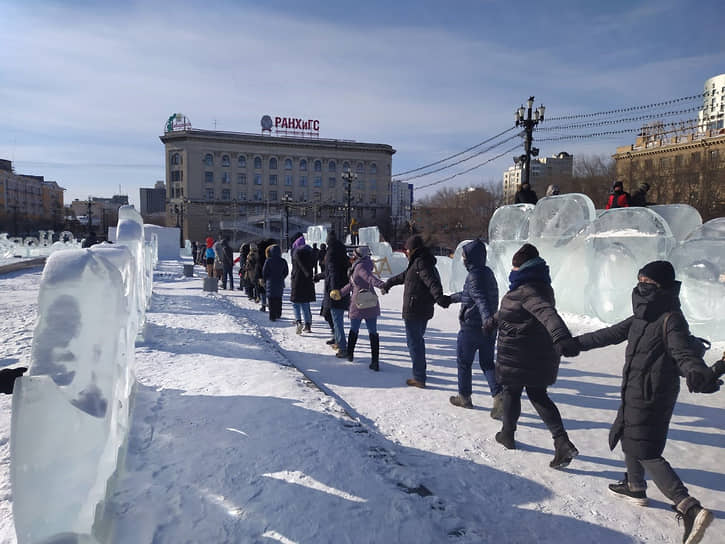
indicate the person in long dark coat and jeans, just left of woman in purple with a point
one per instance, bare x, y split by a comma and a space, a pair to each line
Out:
336, 265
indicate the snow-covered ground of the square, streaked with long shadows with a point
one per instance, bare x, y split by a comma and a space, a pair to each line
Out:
243, 431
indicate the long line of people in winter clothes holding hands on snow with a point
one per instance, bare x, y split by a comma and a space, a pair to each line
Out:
519, 342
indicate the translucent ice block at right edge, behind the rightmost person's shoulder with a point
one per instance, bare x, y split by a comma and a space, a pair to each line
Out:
700, 265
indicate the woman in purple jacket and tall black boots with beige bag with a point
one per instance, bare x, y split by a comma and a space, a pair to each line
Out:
362, 279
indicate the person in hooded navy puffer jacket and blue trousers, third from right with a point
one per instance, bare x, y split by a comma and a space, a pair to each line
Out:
479, 302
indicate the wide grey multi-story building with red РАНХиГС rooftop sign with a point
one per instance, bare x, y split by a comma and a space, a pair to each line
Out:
246, 185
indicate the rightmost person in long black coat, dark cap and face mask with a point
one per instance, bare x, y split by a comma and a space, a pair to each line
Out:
658, 353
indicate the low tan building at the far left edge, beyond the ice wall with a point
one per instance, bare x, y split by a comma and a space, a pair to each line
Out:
28, 203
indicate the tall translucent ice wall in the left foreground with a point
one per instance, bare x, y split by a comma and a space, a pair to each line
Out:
70, 411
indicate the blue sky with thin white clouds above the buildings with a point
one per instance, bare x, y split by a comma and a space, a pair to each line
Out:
85, 87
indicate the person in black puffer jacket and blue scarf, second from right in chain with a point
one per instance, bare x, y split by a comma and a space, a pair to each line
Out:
531, 339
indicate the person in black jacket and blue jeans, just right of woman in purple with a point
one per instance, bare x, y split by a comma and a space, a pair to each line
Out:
421, 291
